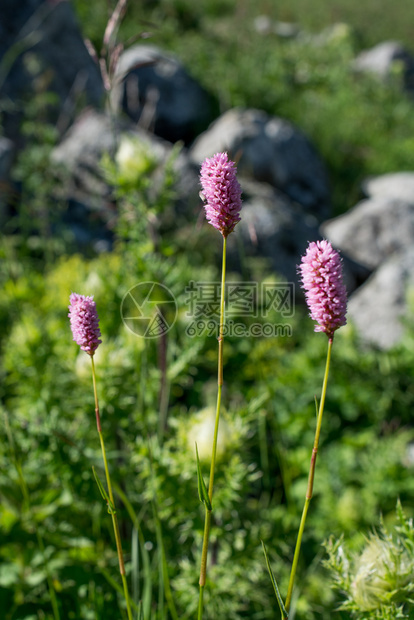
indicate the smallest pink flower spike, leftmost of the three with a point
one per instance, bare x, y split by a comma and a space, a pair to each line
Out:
84, 322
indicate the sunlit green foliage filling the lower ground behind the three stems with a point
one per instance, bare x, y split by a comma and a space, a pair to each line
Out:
266, 438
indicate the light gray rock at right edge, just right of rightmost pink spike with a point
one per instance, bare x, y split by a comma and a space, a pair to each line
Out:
377, 309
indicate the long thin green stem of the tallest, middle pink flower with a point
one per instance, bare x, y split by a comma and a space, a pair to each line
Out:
207, 524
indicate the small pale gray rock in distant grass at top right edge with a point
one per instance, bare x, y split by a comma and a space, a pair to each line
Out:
381, 60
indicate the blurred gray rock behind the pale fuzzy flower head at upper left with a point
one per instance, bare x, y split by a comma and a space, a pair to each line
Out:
81, 151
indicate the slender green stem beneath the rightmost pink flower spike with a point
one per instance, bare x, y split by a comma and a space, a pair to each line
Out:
309, 490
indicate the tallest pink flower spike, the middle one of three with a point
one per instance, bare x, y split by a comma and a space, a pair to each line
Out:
221, 192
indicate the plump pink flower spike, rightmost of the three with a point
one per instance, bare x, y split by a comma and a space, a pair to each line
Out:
325, 292
